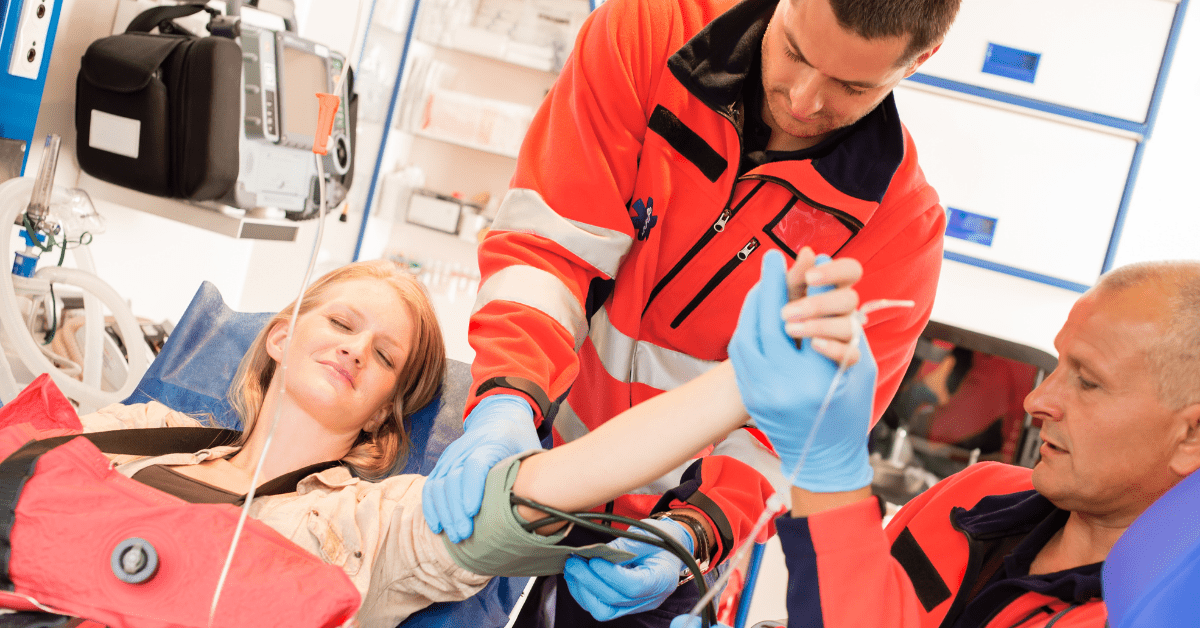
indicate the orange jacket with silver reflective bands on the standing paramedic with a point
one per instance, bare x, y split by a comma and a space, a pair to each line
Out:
619, 262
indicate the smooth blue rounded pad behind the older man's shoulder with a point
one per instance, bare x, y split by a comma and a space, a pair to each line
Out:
1153, 575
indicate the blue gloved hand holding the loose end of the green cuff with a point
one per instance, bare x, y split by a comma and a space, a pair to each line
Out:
609, 591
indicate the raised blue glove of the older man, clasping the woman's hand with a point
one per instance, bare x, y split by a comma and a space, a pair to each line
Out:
783, 388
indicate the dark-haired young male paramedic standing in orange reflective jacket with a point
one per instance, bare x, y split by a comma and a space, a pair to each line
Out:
682, 141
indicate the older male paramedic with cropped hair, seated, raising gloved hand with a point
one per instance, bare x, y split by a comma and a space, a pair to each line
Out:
995, 546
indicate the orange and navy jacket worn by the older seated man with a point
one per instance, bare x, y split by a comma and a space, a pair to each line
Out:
957, 555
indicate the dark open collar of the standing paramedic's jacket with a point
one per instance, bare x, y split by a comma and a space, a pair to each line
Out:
718, 61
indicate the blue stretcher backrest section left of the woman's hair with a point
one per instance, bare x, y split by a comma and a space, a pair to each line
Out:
196, 366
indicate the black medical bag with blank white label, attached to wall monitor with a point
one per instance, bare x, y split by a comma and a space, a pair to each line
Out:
160, 113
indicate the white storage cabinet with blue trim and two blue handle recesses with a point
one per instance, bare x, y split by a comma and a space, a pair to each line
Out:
1031, 122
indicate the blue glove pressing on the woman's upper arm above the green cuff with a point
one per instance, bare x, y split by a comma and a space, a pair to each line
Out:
500, 427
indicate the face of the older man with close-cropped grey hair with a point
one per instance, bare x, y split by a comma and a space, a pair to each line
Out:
1108, 438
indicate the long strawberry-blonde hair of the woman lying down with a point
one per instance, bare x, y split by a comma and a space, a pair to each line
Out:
376, 453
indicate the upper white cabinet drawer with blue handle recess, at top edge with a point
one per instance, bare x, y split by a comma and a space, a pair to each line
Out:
1097, 56
